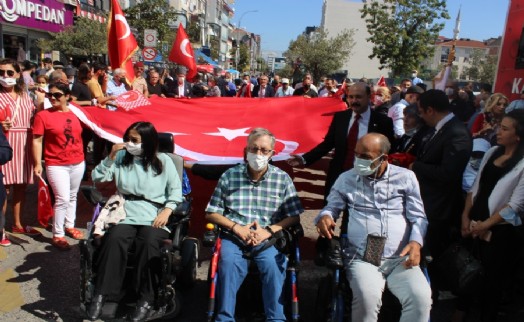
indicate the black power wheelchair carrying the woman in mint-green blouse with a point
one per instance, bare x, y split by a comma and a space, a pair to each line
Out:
179, 256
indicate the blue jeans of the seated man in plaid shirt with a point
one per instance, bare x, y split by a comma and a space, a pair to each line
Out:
232, 270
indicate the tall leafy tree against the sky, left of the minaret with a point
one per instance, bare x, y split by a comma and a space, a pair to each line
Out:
403, 31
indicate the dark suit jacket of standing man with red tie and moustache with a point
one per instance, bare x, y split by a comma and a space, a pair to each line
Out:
336, 139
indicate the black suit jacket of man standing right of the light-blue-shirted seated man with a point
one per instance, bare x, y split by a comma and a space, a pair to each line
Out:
439, 168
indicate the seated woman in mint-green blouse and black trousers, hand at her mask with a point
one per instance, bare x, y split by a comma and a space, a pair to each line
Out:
150, 185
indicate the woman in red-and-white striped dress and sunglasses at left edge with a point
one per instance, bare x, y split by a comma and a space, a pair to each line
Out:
16, 112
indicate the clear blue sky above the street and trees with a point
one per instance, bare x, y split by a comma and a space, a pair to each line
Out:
280, 21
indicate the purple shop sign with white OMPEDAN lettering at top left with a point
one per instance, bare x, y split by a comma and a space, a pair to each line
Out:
45, 15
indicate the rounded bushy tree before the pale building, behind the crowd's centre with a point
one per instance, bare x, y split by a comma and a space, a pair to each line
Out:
319, 54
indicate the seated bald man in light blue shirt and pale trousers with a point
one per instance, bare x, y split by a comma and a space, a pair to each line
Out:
385, 232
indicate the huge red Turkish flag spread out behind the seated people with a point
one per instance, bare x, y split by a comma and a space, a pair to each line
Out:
214, 130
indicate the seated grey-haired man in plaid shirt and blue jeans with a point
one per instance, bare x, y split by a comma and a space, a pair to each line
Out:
252, 202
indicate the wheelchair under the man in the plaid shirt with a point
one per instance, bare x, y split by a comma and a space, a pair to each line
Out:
249, 307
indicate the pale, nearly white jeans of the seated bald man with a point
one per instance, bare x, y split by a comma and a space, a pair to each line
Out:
409, 285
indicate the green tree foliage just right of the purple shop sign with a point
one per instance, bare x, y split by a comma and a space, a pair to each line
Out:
86, 38
